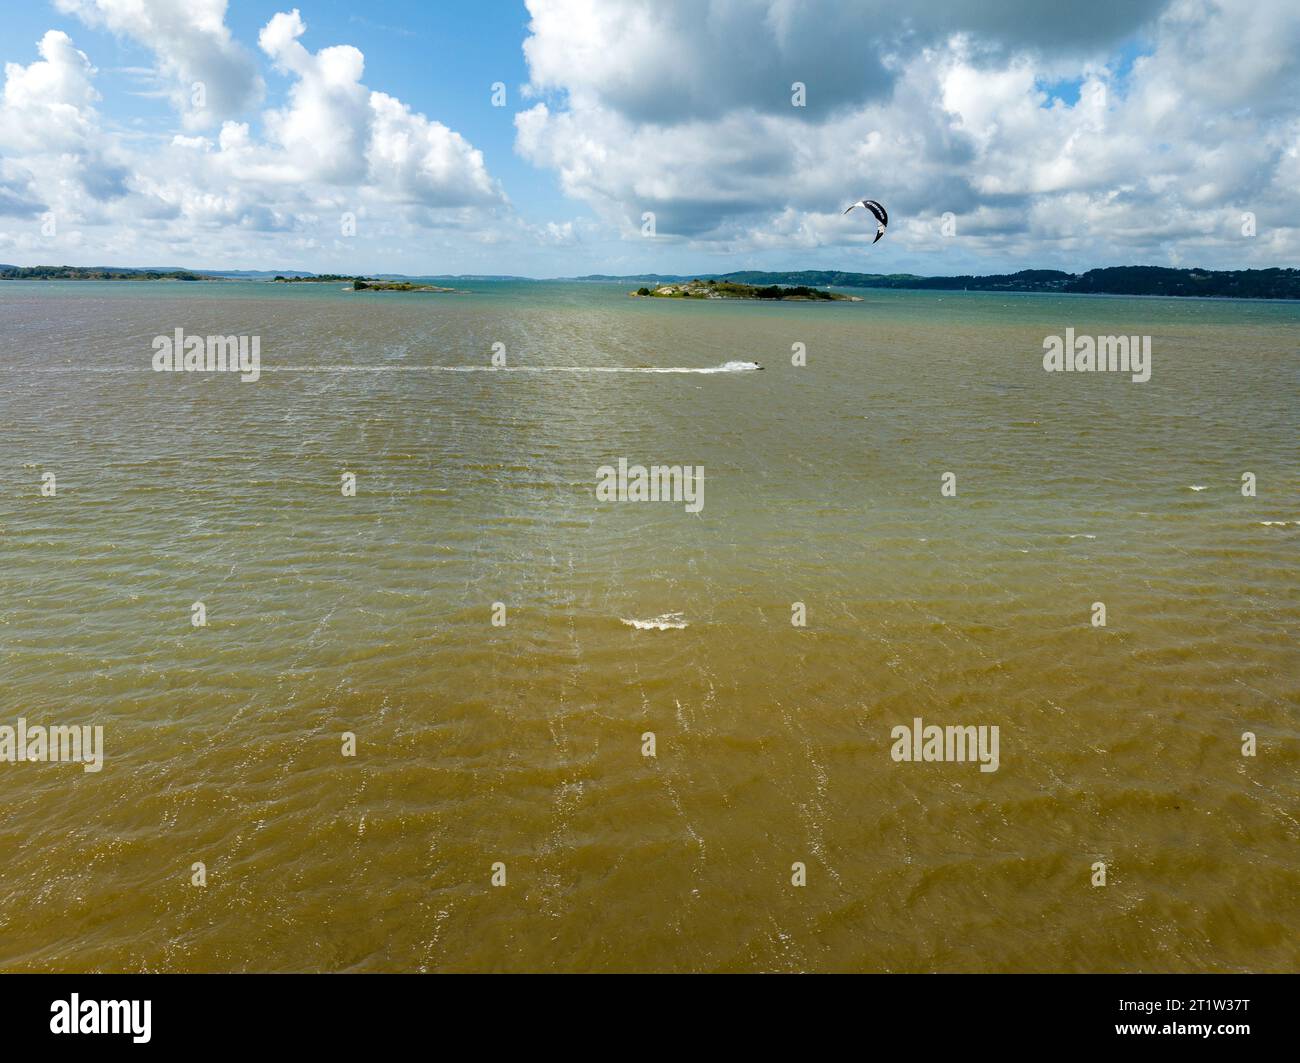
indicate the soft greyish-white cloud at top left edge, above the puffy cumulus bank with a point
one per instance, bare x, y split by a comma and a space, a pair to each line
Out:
206, 73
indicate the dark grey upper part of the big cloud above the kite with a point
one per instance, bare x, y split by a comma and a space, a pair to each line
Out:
673, 60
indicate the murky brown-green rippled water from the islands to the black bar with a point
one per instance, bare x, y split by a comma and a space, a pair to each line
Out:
523, 744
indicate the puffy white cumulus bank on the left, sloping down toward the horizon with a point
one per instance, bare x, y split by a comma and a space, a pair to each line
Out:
336, 147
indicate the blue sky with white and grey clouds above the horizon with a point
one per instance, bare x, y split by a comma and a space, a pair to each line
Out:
554, 138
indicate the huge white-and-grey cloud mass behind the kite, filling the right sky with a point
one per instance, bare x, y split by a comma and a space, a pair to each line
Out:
686, 111
